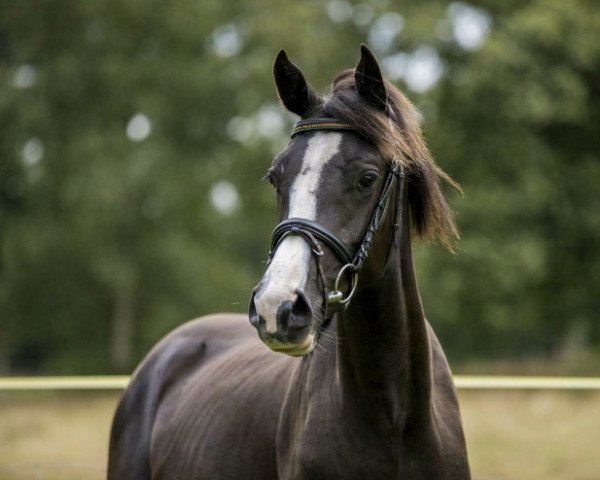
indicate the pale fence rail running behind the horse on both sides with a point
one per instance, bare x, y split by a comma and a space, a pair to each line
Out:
463, 382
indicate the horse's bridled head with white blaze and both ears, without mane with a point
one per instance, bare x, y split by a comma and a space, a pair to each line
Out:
333, 188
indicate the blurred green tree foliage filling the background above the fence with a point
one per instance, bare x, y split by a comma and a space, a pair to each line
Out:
133, 136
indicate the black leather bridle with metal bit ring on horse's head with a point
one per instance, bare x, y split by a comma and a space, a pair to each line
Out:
314, 233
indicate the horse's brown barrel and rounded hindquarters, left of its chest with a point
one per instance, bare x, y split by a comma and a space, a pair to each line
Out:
201, 370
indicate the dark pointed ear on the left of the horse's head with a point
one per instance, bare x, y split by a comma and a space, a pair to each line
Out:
295, 93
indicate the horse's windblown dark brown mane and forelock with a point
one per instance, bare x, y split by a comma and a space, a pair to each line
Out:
397, 135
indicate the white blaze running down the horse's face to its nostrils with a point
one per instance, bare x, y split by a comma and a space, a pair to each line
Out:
289, 266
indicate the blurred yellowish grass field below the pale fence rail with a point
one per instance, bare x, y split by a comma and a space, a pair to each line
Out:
511, 435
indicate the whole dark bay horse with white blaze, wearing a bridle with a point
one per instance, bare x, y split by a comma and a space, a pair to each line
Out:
359, 387
